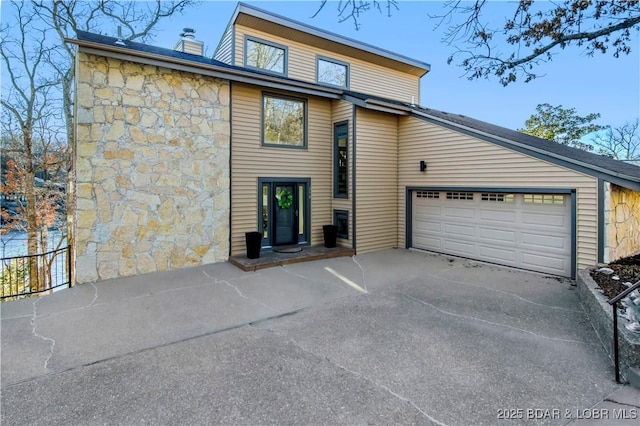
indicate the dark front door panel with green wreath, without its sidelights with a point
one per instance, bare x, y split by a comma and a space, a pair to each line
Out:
285, 217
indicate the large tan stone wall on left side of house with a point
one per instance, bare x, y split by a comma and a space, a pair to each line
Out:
152, 169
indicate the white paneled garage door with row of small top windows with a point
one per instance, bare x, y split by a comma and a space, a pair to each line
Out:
529, 231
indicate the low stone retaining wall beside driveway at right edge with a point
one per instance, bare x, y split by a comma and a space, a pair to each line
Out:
600, 314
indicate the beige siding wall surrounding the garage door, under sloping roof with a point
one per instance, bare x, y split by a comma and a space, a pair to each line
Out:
454, 159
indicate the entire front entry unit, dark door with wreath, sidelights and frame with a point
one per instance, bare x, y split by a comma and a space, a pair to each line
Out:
284, 211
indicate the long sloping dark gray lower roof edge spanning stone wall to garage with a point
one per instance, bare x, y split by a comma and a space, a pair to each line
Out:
618, 172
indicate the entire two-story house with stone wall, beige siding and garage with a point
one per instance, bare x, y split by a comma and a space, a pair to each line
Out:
288, 128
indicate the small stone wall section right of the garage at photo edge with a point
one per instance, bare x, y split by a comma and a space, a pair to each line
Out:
621, 221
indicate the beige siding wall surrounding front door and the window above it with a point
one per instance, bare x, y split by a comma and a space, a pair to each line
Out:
251, 160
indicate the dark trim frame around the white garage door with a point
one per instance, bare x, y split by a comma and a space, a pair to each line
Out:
571, 192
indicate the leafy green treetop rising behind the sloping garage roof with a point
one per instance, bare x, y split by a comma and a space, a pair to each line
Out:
562, 125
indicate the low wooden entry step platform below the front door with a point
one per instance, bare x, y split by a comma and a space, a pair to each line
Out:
270, 258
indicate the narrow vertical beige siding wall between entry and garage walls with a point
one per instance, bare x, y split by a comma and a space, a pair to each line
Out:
376, 180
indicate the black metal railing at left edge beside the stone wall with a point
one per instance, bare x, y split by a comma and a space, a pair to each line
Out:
25, 275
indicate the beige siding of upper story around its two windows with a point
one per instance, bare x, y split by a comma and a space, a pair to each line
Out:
363, 76
